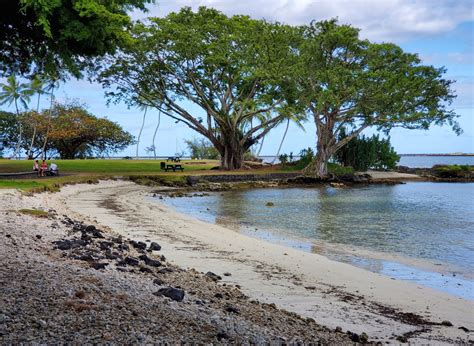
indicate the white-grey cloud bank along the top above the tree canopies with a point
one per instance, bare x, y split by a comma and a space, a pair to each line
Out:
379, 19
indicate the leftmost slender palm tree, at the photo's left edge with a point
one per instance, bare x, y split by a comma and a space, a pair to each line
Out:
17, 93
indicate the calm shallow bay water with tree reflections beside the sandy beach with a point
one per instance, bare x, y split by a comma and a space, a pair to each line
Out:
421, 231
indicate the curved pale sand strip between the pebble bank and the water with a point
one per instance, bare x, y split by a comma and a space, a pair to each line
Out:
334, 294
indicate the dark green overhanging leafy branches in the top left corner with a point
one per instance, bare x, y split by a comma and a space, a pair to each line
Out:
59, 36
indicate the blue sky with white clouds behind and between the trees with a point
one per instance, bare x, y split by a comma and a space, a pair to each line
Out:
441, 32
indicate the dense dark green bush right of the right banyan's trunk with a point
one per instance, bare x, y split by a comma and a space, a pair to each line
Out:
363, 153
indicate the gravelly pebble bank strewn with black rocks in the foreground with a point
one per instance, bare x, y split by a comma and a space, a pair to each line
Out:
62, 280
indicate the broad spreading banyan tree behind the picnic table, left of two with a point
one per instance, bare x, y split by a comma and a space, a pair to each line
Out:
236, 70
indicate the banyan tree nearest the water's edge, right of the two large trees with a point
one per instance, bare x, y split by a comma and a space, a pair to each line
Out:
346, 82
